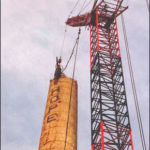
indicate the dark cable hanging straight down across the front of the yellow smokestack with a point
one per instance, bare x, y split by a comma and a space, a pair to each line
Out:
71, 88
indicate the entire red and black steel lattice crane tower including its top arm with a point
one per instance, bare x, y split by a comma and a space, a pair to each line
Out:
110, 124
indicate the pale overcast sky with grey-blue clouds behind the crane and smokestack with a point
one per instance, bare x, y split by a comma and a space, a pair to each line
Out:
32, 35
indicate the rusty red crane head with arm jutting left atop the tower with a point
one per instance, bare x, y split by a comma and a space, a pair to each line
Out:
108, 12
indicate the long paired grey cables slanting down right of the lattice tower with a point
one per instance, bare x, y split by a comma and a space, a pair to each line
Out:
133, 85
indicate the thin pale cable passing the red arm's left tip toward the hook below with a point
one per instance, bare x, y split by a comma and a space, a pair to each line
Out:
65, 31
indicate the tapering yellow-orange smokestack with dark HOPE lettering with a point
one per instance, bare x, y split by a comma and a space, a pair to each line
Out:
55, 121
